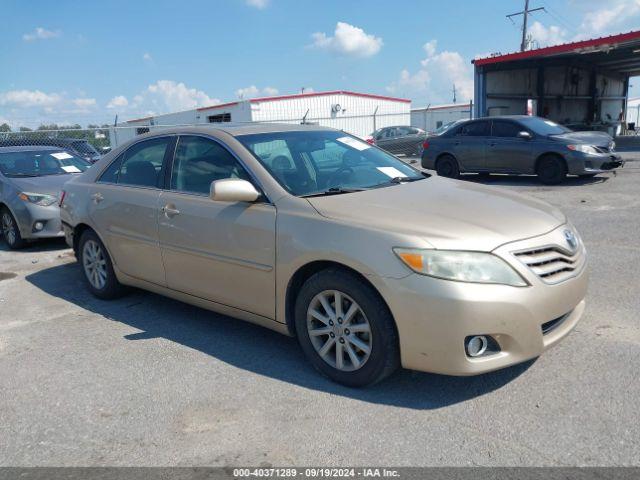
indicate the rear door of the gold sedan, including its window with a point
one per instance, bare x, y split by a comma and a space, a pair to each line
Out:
124, 207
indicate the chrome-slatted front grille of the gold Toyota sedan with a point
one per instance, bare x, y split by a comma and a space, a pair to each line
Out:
552, 263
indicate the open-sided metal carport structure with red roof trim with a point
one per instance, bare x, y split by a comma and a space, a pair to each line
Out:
581, 84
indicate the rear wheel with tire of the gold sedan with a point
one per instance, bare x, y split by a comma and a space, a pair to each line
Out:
97, 268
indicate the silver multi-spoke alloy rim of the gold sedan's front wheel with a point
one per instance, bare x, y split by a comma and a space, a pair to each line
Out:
339, 330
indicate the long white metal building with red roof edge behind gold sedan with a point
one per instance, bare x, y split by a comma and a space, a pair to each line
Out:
357, 113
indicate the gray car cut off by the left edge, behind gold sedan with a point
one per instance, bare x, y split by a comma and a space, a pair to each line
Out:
31, 180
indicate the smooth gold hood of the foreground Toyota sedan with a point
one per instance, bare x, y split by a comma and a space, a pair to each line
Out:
446, 213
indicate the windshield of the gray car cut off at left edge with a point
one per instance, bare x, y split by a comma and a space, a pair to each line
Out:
40, 163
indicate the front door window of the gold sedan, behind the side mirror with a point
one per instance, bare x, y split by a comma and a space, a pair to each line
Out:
199, 161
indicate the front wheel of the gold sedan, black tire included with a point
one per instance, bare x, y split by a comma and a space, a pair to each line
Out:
375, 326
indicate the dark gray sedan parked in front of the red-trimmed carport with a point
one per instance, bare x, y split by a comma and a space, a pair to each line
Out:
519, 145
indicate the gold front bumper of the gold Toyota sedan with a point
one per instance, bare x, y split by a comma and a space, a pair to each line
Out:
435, 316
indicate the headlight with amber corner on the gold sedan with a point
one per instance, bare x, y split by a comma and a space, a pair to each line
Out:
476, 267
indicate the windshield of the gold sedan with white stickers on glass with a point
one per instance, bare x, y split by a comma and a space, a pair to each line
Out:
326, 161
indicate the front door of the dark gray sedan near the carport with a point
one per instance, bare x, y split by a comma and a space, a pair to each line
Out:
506, 152
